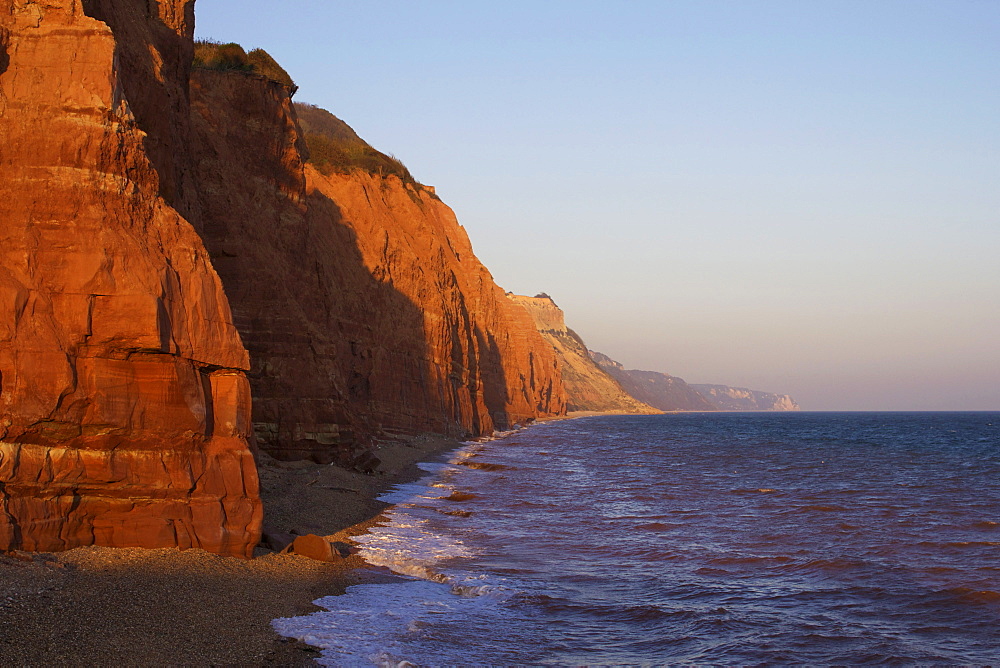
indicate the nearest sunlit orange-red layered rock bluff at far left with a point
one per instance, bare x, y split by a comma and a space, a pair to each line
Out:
124, 404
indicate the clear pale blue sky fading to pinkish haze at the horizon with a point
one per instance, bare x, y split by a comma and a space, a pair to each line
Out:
798, 196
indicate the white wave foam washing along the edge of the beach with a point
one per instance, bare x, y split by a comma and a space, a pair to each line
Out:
383, 624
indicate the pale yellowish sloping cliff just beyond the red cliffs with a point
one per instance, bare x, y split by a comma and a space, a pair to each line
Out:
588, 386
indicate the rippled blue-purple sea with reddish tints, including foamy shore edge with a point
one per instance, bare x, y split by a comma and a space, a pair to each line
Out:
691, 538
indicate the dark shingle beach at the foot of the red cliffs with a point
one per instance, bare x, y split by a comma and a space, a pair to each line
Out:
131, 607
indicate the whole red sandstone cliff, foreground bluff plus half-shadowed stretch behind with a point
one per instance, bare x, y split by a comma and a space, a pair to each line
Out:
125, 406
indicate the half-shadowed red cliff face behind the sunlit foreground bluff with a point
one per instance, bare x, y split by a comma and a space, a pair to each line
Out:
358, 295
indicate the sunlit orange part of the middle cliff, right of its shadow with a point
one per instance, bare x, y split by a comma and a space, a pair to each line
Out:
484, 367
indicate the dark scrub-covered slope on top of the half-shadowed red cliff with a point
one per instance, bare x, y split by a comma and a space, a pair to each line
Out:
335, 148
